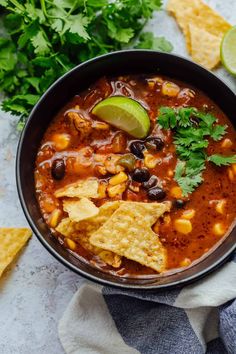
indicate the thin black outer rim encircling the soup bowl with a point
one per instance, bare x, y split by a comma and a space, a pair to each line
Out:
139, 287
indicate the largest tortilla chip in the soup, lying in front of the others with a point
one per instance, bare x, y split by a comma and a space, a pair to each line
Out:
128, 233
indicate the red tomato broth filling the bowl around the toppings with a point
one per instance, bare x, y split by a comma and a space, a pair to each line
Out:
213, 202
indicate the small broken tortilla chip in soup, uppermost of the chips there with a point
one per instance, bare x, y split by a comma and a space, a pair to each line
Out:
87, 188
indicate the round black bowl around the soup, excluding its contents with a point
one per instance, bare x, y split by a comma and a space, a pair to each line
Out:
78, 79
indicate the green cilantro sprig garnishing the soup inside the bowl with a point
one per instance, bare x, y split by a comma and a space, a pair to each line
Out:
192, 130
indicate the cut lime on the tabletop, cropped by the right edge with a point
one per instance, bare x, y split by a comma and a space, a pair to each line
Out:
228, 50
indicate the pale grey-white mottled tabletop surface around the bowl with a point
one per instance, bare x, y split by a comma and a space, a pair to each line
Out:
36, 288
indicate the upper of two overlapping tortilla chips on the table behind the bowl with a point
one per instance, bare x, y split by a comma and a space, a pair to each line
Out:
197, 13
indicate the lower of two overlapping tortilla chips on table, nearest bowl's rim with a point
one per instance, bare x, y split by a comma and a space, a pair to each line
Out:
205, 47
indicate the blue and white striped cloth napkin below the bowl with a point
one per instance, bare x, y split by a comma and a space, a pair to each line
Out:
196, 319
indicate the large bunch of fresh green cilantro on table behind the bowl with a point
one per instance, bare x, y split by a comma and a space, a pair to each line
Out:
44, 39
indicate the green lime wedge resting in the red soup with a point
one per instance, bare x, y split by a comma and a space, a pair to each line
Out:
124, 113
